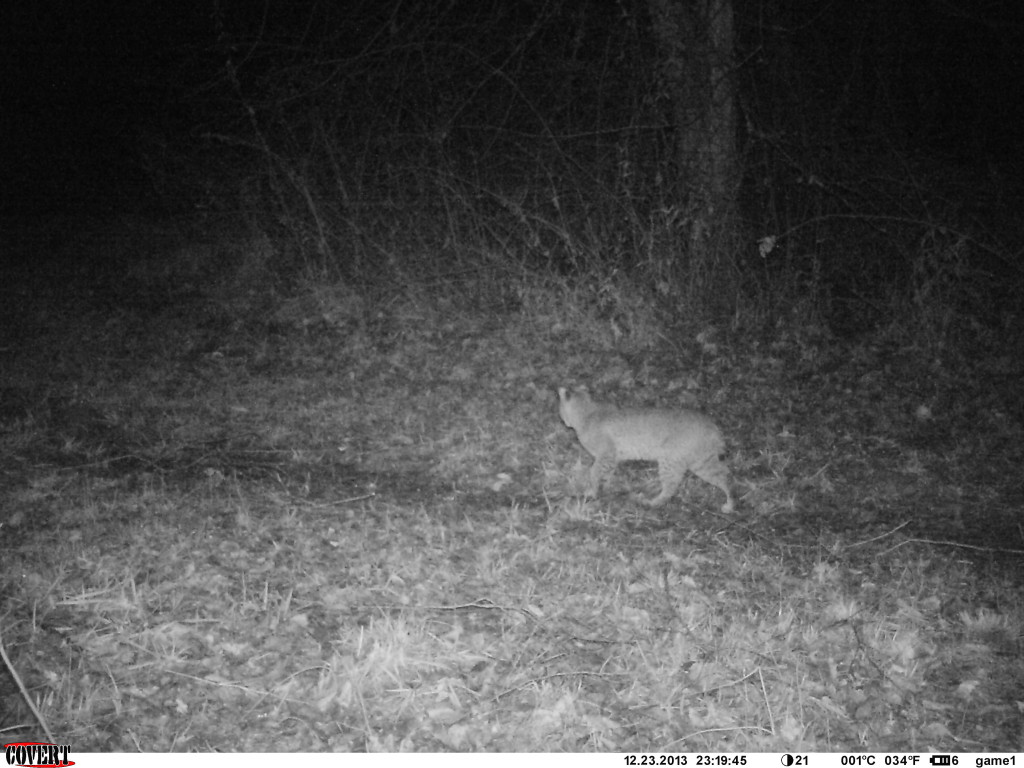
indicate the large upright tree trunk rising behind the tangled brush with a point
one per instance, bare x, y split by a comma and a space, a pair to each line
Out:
696, 44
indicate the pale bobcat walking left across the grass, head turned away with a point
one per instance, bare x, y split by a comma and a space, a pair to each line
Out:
678, 441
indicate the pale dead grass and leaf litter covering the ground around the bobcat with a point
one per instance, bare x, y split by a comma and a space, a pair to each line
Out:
355, 535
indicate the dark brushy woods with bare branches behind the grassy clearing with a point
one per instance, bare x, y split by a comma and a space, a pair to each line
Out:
855, 164
